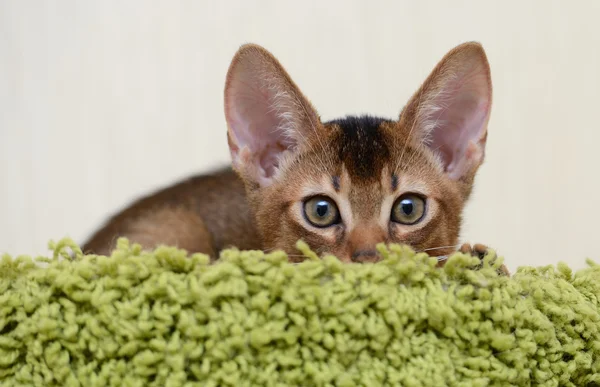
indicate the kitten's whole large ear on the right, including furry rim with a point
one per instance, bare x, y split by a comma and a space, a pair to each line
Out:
451, 110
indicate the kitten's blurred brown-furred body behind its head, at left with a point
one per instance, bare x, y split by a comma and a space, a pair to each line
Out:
201, 214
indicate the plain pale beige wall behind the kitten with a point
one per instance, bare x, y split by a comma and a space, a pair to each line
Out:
101, 101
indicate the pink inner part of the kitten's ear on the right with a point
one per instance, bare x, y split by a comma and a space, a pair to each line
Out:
459, 124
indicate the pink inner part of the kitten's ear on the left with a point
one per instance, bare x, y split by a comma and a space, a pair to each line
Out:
255, 123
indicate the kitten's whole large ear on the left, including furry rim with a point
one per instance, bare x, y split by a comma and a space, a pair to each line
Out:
267, 115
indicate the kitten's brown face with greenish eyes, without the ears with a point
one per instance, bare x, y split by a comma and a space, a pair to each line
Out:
360, 185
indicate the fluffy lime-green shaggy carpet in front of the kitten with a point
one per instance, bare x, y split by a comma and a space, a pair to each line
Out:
165, 319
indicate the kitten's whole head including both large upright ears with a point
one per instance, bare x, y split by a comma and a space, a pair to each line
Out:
345, 185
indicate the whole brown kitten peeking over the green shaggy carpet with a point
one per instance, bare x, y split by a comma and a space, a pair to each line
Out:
342, 186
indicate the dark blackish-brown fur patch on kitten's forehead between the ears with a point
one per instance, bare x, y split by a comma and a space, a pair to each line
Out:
361, 145
